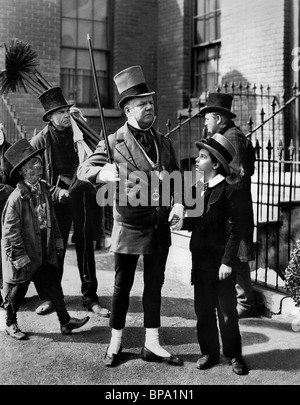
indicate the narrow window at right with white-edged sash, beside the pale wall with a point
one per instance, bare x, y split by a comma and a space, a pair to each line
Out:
206, 45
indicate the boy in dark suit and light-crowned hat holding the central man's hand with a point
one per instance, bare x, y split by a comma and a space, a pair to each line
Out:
214, 244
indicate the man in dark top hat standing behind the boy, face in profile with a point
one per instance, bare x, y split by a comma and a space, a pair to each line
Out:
219, 119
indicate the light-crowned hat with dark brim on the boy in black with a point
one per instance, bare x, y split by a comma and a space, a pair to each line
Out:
221, 148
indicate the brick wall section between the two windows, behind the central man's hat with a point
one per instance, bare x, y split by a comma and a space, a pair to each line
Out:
154, 35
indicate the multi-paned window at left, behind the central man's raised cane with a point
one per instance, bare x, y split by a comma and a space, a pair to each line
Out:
79, 18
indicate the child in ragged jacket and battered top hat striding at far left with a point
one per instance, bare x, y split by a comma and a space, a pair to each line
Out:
31, 241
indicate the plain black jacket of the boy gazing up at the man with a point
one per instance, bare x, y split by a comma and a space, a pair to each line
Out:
216, 234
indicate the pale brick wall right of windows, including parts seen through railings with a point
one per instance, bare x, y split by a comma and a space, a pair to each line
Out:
254, 46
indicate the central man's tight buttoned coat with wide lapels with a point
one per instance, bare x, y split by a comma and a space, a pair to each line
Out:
141, 229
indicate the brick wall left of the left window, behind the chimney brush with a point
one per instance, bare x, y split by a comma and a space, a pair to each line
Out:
38, 23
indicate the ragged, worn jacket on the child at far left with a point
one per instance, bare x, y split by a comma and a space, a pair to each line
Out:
21, 236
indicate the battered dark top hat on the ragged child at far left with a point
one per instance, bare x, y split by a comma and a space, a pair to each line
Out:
18, 154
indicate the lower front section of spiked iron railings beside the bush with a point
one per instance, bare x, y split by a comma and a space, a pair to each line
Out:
276, 205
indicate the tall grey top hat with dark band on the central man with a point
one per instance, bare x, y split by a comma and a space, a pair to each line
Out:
131, 83
